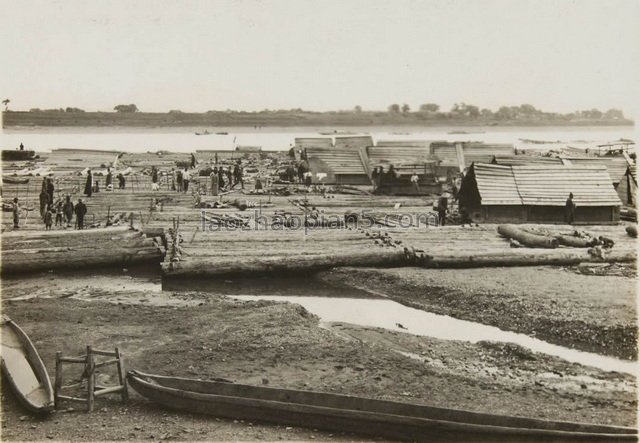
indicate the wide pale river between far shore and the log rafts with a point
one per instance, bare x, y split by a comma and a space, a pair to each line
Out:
274, 138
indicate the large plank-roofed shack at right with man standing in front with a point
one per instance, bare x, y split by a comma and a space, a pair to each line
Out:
538, 194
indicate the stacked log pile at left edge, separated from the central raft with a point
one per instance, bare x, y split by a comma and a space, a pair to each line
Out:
24, 251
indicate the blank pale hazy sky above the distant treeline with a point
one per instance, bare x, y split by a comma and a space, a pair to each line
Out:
250, 55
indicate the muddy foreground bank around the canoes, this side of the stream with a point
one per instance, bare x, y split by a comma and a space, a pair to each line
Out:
204, 335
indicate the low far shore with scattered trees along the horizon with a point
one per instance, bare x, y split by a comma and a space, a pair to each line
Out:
428, 114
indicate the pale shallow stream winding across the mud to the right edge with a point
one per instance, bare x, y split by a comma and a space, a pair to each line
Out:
394, 316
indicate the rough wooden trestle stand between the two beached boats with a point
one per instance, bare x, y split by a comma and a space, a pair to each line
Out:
90, 366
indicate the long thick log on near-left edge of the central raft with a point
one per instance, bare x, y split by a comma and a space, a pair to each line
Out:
286, 264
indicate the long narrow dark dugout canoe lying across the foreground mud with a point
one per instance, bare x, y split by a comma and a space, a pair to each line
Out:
381, 418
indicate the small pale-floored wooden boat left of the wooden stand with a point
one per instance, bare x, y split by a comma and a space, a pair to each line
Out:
23, 369
